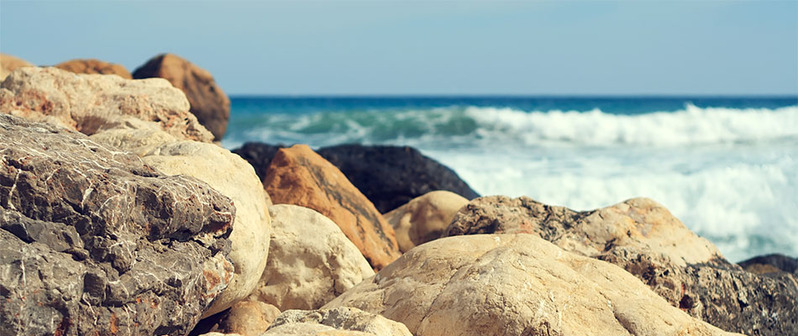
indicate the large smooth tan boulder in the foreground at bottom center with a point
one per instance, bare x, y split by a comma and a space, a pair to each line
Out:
514, 284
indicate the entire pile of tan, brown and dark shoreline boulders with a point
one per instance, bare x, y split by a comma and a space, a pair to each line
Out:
119, 215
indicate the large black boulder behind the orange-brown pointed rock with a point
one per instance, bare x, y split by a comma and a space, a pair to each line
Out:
391, 176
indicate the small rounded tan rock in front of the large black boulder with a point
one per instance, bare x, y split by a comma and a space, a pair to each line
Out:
424, 218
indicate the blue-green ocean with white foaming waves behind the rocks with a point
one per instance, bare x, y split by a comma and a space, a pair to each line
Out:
726, 166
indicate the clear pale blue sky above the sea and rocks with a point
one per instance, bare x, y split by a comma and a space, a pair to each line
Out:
433, 47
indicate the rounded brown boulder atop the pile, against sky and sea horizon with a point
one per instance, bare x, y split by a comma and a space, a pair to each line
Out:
208, 101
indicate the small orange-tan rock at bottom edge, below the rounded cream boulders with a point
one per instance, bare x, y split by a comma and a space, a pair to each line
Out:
249, 318
